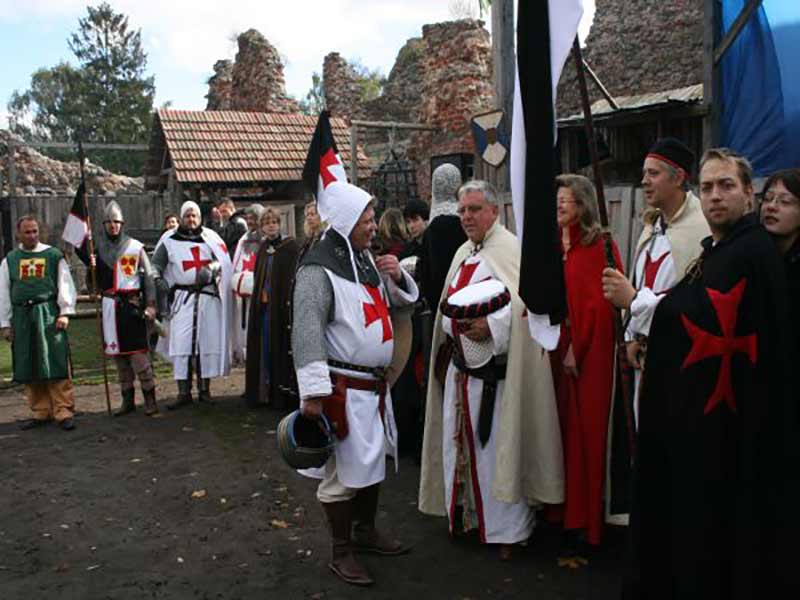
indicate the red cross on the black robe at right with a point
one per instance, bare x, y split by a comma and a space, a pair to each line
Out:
707, 345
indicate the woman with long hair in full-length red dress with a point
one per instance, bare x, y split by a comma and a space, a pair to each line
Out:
583, 363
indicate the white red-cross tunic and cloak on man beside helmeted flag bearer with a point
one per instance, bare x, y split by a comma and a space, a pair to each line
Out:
212, 338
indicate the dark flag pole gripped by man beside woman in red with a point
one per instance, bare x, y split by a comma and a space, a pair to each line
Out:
591, 141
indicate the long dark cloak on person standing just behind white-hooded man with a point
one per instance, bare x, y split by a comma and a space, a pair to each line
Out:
274, 383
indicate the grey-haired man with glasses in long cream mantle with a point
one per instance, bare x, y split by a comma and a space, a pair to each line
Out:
489, 459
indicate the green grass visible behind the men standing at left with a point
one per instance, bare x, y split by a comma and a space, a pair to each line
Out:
87, 361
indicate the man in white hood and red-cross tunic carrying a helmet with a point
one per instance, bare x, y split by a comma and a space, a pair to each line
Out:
342, 342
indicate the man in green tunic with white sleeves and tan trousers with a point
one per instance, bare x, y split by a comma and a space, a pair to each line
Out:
36, 296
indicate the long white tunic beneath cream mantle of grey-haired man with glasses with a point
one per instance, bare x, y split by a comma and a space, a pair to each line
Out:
497, 522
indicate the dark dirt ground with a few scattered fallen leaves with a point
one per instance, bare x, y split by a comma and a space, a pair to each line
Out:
198, 504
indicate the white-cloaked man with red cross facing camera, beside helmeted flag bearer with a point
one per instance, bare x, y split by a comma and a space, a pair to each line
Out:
194, 263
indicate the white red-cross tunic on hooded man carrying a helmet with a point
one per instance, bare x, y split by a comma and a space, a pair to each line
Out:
360, 333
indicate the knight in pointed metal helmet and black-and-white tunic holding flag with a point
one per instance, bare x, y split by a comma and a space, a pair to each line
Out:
125, 280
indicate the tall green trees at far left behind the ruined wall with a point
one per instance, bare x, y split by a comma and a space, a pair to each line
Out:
107, 98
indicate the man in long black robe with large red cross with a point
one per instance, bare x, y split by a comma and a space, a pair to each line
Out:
714, 479
